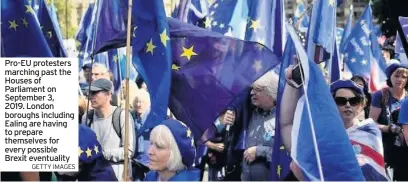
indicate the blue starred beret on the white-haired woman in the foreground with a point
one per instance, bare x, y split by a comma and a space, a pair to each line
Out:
184, 139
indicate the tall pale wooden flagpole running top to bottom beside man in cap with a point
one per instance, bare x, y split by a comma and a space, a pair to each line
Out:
126, 152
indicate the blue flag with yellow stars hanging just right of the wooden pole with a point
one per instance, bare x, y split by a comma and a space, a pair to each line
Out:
151, 54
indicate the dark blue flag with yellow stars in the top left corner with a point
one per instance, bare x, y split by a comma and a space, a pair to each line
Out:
21, 35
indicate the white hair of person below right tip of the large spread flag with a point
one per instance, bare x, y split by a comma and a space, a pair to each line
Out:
270, 81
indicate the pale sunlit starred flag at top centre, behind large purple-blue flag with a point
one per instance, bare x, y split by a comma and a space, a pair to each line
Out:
252, 20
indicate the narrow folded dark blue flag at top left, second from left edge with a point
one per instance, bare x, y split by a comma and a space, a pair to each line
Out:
49, 31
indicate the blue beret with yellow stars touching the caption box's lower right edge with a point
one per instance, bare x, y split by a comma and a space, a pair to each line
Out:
89, 148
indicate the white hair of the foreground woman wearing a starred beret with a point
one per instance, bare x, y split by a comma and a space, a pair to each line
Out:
162, 134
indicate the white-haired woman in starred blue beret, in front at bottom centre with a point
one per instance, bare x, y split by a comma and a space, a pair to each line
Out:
172, 153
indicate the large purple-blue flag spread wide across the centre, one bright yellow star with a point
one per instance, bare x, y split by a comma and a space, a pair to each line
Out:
210, 71
